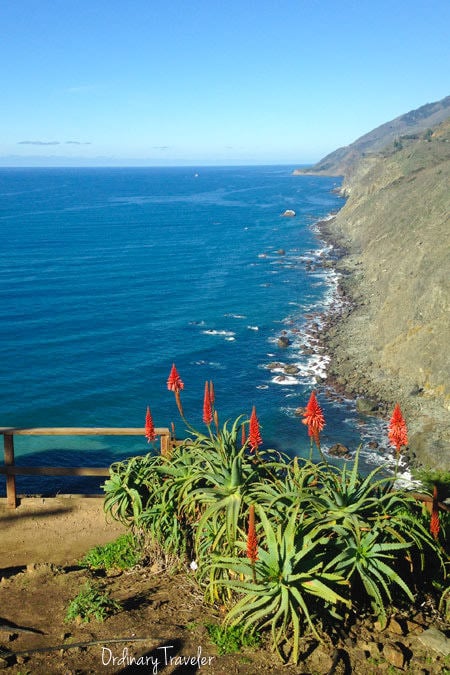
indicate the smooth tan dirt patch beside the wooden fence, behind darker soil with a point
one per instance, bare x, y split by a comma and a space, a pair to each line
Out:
56, 529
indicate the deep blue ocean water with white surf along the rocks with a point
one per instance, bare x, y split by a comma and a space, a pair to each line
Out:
108, 276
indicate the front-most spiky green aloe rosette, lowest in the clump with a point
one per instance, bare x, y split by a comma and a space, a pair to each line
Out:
292, 585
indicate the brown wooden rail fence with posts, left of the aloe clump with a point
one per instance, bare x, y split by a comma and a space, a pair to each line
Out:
11, 470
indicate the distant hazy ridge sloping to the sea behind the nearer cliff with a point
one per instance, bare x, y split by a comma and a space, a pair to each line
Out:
416, 122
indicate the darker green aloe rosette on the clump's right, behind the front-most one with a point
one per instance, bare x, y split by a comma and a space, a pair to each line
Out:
374, 538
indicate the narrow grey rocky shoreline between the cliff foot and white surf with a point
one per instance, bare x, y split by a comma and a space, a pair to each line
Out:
351, 373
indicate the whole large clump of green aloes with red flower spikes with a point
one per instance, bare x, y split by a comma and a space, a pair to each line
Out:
325, 536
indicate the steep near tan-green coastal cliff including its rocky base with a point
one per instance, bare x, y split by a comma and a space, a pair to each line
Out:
393, 345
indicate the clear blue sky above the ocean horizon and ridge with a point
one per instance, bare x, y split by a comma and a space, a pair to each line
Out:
164, 82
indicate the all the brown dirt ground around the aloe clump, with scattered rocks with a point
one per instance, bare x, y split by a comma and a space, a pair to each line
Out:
163, 614
